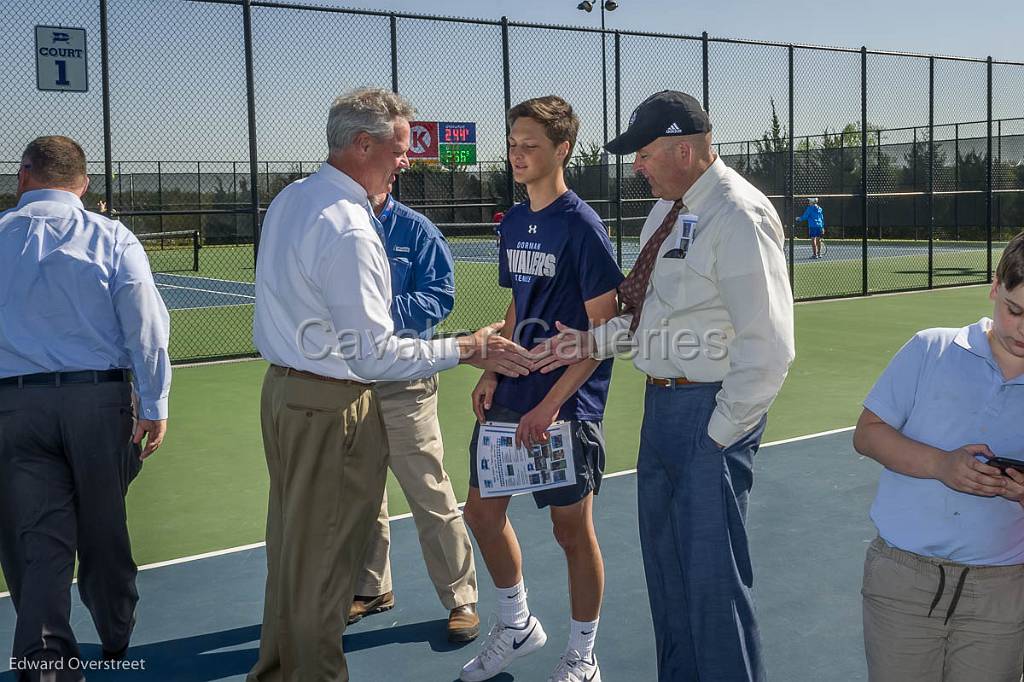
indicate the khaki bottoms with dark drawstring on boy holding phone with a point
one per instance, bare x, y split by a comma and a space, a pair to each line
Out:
984, 641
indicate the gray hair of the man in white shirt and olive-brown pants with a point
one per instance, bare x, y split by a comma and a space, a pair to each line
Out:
371, 111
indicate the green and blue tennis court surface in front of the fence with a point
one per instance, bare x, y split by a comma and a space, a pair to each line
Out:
206, 491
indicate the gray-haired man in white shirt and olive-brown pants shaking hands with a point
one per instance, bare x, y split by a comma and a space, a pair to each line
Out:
323, 322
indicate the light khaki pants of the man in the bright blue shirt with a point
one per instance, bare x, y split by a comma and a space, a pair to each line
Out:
410, 410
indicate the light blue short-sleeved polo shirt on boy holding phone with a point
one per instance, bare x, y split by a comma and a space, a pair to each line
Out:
945, 390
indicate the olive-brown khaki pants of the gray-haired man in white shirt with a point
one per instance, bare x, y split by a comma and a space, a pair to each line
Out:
327, 455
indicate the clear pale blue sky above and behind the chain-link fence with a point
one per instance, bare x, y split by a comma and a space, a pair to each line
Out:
179, 89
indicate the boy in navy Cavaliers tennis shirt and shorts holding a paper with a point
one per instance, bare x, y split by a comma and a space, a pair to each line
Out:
556, 257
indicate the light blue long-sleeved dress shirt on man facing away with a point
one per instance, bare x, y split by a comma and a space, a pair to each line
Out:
77, 293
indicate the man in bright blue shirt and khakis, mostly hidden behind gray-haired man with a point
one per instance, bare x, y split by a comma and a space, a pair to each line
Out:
423, 286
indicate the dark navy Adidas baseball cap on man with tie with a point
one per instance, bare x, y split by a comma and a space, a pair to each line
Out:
663, 114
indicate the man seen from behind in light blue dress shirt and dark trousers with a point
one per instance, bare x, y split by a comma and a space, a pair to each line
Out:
81, 321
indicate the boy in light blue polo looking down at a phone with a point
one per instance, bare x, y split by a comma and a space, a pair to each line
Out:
944, 590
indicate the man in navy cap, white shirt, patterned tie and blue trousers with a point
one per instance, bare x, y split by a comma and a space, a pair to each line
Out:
708, 316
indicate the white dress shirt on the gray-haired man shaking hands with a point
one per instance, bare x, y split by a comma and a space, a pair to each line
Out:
324, 289
